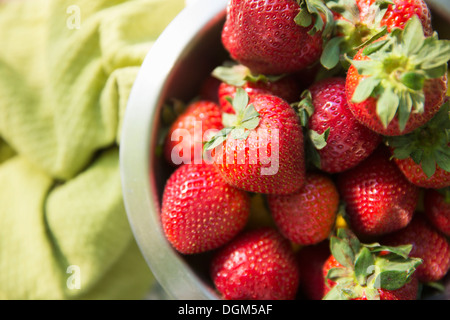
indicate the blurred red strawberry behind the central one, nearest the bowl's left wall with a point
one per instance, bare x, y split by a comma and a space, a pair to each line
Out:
184, 141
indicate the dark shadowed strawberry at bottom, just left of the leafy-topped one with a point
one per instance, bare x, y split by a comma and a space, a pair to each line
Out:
311, 260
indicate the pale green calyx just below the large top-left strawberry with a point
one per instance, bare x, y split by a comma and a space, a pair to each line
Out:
238, 75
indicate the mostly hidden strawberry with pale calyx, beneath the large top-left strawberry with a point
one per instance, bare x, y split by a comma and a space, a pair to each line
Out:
286, 86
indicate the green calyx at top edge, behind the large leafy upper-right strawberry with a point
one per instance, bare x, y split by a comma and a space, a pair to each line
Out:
350, 34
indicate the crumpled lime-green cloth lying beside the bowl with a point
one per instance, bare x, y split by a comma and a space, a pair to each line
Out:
66, 70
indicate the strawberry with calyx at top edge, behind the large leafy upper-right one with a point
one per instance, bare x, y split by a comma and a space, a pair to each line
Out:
359, 22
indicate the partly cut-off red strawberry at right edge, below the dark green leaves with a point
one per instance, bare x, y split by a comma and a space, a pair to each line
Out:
437, 209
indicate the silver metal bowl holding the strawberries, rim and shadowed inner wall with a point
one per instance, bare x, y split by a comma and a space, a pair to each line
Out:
181, 58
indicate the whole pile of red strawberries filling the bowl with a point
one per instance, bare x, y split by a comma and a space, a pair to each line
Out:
315, 163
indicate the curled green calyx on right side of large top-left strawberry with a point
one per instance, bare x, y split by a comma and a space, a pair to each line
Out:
311, 12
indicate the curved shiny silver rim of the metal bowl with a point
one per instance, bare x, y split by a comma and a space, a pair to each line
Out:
141, 194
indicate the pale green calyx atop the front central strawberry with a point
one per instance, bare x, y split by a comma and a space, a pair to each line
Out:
238, 125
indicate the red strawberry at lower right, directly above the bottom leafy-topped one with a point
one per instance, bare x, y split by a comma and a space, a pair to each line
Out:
428, 244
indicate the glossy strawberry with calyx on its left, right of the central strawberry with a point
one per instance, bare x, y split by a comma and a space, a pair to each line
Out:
338, 140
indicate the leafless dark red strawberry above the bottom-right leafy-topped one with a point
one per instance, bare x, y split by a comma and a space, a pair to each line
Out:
377, 196
